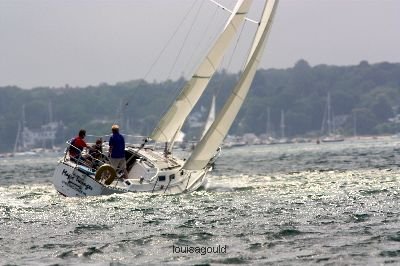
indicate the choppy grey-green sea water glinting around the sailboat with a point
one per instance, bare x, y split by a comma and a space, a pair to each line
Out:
289, 204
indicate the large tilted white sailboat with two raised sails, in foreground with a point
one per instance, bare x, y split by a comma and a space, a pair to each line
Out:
154, 171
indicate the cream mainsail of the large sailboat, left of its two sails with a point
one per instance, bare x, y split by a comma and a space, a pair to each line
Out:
180, 109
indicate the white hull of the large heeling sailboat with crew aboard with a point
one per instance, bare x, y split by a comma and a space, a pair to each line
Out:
74, 180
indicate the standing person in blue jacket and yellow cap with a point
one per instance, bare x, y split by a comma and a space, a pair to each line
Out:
117, 150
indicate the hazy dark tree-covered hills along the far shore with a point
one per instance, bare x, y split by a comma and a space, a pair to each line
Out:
364, 98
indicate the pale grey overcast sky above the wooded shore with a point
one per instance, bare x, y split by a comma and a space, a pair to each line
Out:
87, 42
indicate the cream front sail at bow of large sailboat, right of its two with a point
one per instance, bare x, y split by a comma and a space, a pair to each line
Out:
207, 147
